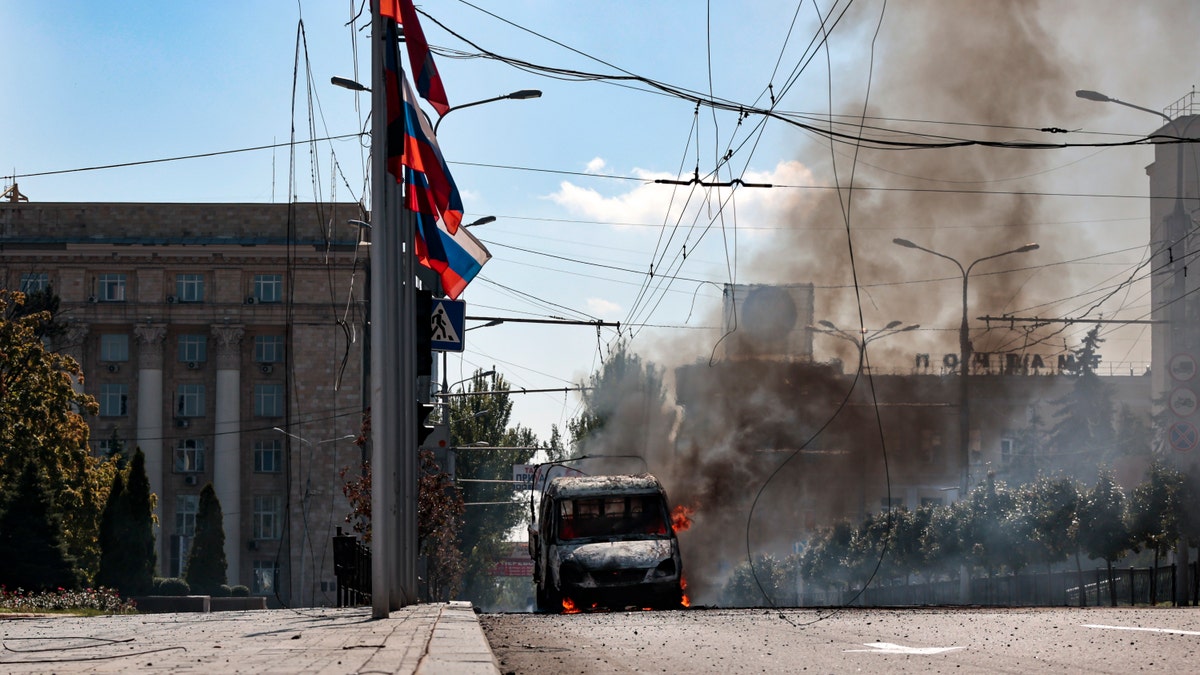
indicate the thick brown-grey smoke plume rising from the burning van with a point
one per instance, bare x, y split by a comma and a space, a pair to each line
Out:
992, 67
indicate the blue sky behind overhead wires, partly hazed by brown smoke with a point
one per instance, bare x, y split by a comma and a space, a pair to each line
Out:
569, 177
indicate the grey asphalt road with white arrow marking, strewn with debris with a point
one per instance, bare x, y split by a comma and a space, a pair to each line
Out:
844, 641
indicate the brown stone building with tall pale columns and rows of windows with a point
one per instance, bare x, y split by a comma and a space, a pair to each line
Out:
226, 342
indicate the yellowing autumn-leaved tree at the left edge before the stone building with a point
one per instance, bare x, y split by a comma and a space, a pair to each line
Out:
41, 421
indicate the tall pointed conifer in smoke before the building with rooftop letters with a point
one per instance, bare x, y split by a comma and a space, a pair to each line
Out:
1084, 429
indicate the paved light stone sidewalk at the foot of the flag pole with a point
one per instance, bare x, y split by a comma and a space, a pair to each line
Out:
427, 640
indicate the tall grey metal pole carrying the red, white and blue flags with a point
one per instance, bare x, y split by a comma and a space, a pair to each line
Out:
393, 344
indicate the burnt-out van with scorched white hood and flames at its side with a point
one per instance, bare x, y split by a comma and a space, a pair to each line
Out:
605, 541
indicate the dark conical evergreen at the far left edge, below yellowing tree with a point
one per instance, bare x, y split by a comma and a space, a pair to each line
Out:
33, 555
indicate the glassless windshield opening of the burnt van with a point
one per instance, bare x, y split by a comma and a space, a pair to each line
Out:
613, 517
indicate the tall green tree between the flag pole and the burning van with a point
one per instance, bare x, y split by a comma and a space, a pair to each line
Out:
489, 449
